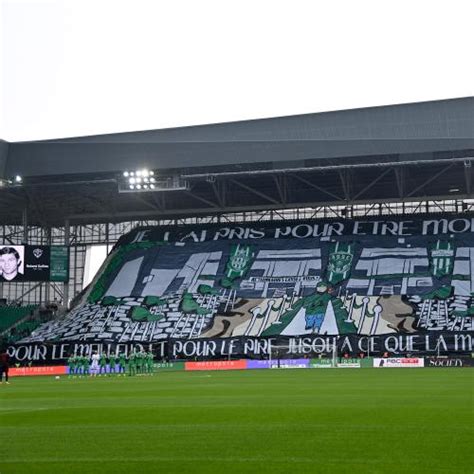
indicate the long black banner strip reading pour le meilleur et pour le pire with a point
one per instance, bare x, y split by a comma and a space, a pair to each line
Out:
278, 347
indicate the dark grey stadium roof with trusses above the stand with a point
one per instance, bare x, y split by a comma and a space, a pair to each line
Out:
402, 152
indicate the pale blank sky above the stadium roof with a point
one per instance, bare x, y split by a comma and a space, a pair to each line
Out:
86, 67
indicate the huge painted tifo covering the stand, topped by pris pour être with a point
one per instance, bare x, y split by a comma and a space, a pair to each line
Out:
348, 277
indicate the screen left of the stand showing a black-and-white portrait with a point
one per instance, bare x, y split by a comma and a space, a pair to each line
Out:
34, 263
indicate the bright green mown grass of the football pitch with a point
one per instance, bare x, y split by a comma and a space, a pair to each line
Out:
277, 421
